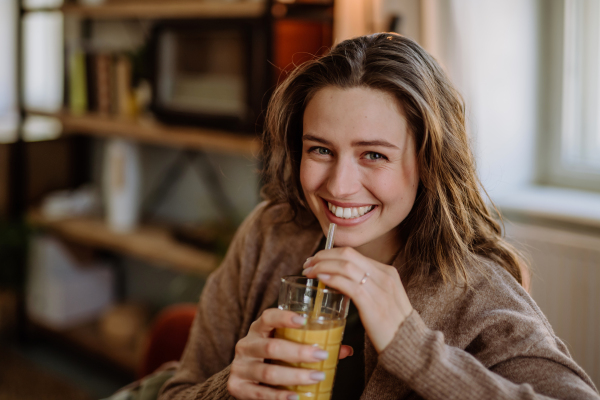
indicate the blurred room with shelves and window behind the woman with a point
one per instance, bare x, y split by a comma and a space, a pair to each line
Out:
129, 135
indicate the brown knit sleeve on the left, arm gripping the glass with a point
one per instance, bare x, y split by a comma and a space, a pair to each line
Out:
204, 368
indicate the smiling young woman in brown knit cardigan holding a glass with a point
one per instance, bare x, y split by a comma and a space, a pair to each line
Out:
372, 137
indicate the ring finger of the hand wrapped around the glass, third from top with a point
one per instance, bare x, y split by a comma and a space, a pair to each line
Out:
273, 374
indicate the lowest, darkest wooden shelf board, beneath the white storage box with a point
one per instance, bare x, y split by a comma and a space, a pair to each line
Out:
88, 339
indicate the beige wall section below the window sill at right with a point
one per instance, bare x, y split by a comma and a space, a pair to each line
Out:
566, 286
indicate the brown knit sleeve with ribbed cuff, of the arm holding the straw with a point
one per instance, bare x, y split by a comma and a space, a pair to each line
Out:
436, 371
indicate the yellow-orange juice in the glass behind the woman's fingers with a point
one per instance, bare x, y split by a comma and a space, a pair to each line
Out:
327, 335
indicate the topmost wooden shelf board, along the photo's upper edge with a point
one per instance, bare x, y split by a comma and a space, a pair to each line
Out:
170, 9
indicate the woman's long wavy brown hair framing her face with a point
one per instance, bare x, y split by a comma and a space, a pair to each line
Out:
449, 224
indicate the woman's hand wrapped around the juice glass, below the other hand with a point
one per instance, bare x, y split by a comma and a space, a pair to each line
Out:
249, 371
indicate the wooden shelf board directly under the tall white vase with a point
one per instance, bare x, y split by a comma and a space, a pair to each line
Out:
151, 244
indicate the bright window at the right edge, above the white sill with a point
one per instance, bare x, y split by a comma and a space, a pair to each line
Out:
574, 157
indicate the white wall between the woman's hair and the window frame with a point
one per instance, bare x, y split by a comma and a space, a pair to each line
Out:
490, 50
